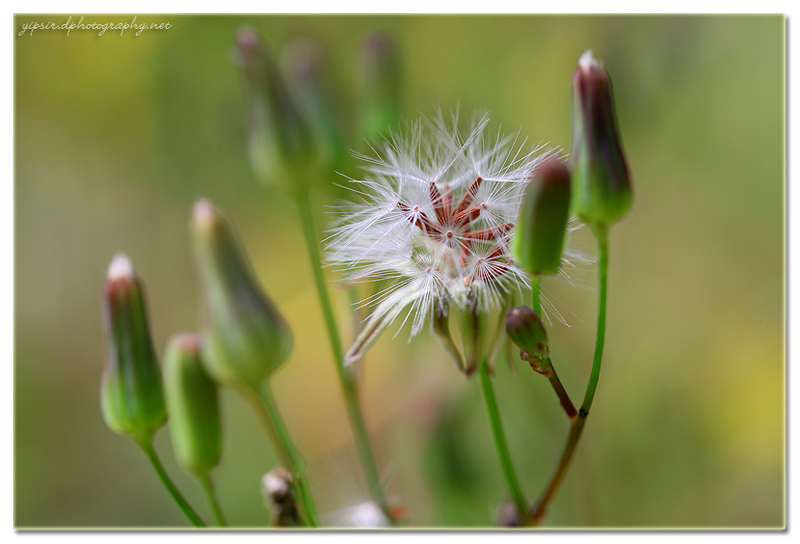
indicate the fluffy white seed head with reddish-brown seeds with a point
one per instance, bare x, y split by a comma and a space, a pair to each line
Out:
435, 214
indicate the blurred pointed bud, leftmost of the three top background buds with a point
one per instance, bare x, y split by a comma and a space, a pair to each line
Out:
279, 139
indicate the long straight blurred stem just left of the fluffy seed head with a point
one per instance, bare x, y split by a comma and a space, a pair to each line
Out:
347, 379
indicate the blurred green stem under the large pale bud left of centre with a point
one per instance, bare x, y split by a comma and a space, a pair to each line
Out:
267, 410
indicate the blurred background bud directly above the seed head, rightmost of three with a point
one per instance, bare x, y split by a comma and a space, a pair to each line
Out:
380, 103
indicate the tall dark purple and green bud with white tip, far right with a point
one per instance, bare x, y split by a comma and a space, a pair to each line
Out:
601, 183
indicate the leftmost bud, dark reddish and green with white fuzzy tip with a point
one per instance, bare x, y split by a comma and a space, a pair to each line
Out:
132, 394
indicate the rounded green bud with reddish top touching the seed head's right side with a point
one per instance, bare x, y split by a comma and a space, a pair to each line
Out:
538, 240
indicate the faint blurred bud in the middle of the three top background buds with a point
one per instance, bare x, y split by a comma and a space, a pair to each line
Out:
304, 66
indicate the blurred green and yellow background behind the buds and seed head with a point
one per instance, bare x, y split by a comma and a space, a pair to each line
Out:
117, 136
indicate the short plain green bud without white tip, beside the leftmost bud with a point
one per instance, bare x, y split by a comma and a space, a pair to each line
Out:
193, 404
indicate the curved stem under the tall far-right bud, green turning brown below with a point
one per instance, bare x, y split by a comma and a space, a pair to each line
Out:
539, 510
